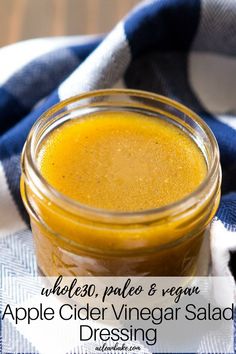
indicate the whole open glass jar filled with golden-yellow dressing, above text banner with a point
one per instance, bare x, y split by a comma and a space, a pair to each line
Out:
120, 182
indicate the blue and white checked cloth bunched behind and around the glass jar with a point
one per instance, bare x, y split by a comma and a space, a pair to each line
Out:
184, 49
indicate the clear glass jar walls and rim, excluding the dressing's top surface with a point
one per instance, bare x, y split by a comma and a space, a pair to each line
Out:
74, 239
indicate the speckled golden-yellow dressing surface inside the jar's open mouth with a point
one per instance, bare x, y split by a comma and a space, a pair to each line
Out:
122, 161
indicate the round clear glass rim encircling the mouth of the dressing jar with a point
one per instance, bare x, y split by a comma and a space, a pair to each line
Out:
75, 207
